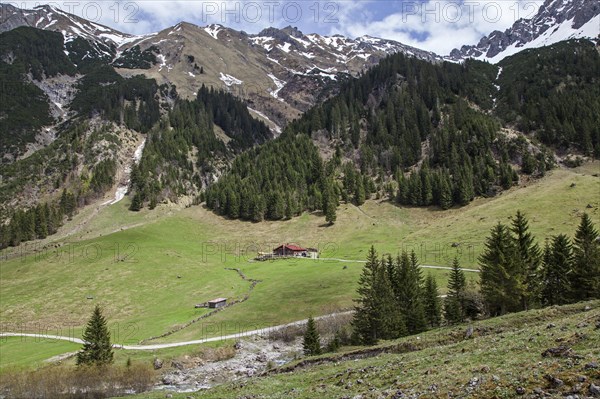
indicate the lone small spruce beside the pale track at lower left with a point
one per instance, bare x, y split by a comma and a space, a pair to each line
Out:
97, 349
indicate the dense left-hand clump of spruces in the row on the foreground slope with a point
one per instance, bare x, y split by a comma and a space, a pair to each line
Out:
393, 299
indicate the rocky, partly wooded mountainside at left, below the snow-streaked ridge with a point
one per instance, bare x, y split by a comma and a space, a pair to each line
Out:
70, 125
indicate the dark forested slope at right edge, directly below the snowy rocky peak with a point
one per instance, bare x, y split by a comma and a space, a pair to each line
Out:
554, 91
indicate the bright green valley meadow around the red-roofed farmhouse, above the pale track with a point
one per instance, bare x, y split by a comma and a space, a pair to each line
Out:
143, 296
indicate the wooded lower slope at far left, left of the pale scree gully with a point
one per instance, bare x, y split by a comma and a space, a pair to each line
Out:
60, 162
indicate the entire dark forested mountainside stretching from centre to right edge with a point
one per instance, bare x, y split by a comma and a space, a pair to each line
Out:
443, 132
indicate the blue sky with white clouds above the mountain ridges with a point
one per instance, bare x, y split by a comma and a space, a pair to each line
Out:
435, 25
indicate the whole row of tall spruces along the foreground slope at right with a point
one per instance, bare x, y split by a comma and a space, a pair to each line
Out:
394, 299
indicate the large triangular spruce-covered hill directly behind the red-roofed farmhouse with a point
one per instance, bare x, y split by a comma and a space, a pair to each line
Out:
406, 119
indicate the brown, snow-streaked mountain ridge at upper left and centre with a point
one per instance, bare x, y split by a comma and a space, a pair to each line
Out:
280, 72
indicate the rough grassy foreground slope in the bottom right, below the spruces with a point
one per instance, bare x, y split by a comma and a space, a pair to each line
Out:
503, 354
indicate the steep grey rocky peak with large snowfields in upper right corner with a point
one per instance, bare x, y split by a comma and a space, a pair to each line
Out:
555, 21
